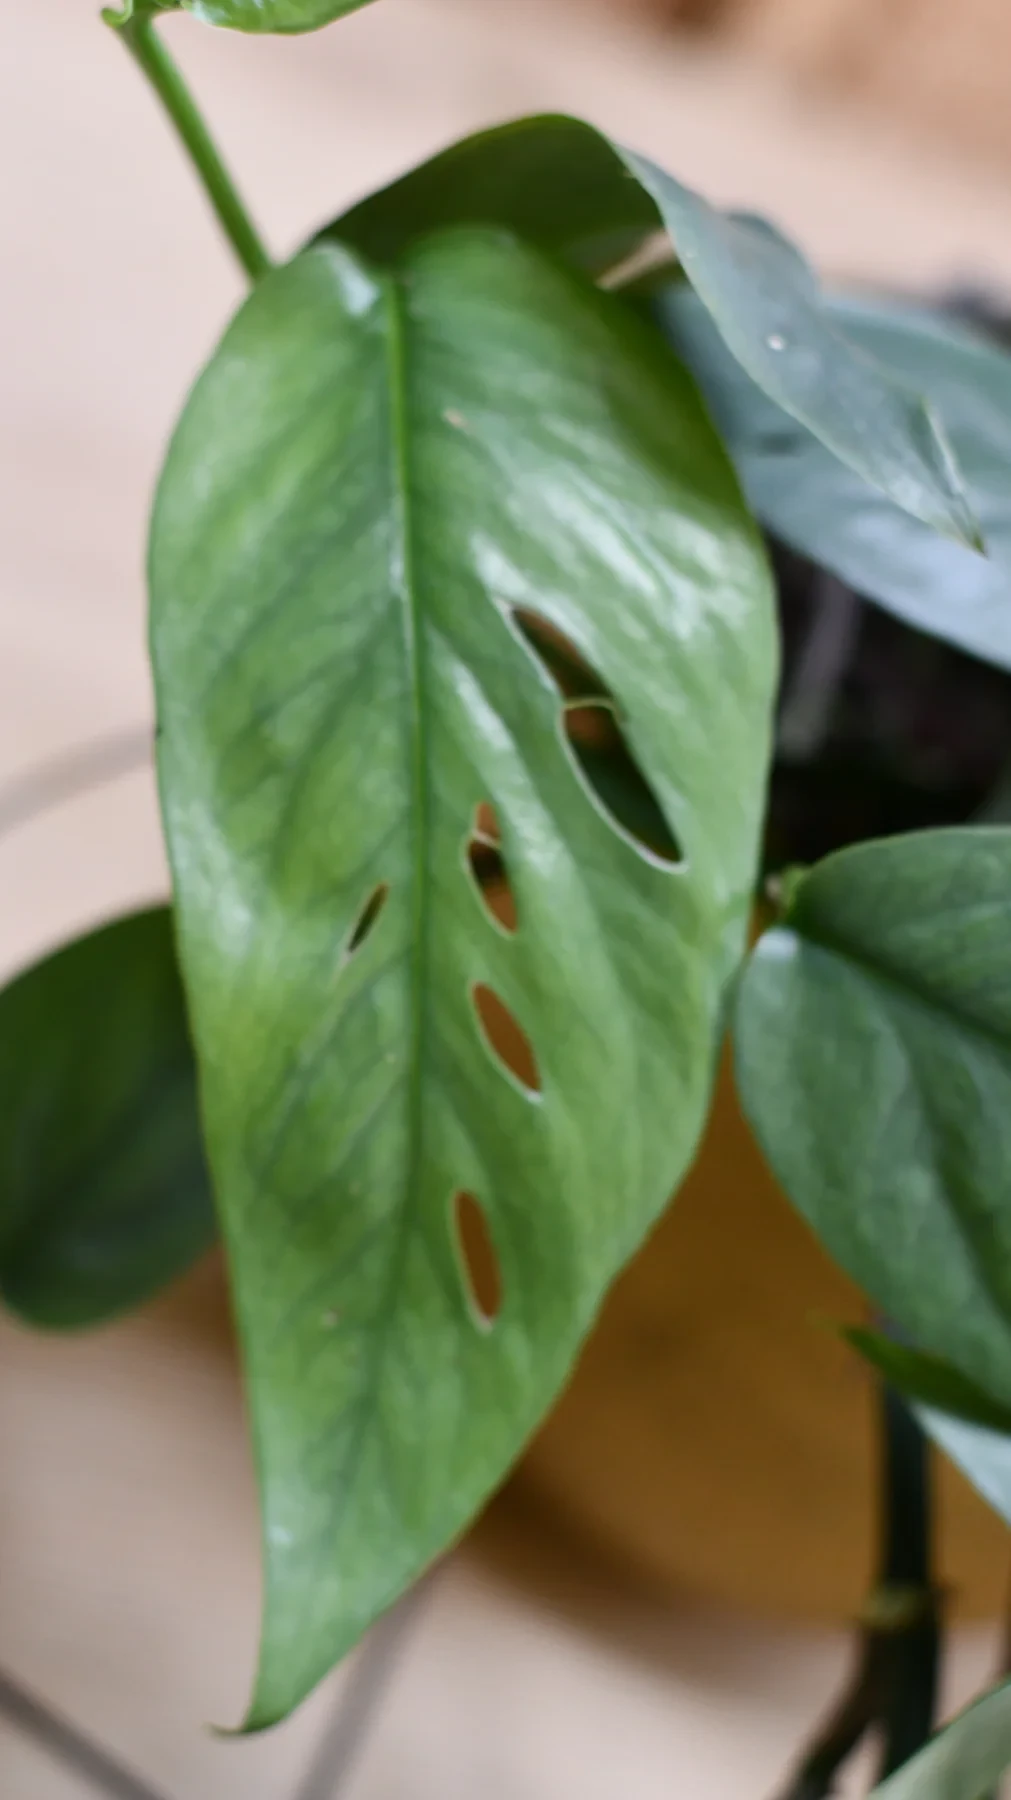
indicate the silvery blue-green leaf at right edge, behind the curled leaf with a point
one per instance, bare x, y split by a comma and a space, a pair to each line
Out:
819, 507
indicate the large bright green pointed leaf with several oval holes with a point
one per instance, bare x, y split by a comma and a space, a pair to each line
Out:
373, 478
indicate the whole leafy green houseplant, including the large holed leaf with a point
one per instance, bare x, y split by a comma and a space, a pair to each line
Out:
465, 654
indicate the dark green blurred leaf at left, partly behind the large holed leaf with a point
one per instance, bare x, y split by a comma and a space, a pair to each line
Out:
103, 1187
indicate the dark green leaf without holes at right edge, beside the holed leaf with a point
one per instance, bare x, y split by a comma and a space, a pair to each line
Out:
873, 1039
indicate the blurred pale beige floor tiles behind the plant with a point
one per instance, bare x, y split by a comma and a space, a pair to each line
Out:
127, 1520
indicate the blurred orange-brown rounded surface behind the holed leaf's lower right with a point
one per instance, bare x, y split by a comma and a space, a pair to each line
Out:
719, 1437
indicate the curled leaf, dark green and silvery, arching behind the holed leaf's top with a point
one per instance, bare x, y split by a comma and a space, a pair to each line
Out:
575, 192
